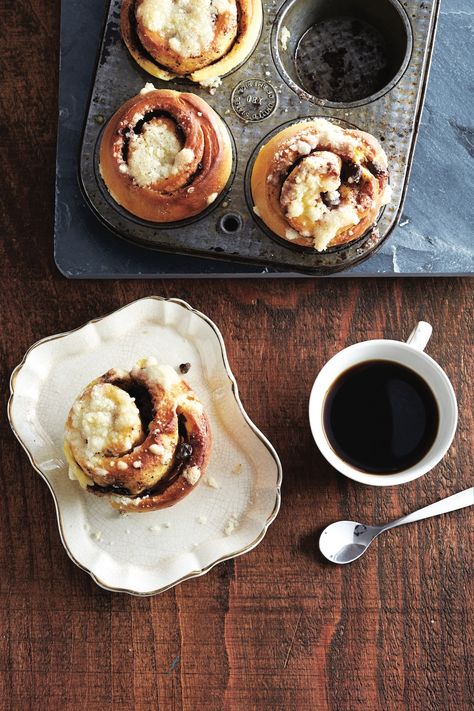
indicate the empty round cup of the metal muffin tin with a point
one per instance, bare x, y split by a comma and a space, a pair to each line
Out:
338, 52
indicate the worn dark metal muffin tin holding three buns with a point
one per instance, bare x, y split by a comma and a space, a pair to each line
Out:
259, 98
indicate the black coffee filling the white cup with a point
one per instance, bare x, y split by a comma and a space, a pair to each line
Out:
380, 417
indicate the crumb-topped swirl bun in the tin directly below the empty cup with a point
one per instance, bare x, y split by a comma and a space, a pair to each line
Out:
319, 185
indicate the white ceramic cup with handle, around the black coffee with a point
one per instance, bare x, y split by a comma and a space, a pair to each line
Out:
411, 355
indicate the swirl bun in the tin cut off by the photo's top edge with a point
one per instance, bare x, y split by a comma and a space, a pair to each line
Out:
202, 39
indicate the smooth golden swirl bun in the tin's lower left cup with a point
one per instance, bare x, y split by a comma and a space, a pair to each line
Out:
165, 155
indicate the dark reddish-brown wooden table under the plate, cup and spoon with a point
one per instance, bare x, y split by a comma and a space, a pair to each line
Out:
277, 628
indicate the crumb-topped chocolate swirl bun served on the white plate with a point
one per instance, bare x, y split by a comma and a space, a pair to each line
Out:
141, 438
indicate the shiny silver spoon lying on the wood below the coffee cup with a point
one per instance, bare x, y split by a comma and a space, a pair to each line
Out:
345, 541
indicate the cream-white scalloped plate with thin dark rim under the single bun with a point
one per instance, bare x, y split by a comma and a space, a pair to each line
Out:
146, 553
